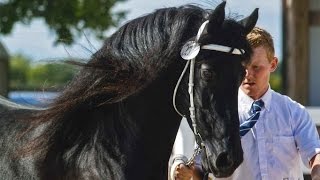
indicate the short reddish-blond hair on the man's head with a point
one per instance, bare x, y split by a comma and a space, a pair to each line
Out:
260, 37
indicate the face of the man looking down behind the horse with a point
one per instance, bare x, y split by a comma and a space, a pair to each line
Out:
256, 80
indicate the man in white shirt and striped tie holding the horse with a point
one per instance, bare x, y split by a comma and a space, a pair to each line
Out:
282, 132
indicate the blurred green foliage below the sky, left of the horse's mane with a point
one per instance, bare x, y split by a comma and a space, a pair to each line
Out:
41, 76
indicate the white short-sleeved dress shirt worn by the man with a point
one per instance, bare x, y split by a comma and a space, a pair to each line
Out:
283, 133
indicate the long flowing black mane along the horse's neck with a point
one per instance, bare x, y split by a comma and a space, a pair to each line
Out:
133, 57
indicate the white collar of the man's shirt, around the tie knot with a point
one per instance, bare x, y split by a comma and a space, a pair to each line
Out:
245, 99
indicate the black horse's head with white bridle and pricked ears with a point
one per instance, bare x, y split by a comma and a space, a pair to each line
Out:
218, 51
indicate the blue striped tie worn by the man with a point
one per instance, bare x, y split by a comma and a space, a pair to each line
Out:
254, 116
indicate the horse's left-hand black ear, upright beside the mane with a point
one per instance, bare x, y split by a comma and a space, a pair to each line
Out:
216, 18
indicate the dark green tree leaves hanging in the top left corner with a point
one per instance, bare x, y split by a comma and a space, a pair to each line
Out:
67, 18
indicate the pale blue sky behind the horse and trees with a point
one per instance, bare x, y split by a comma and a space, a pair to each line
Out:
36, 41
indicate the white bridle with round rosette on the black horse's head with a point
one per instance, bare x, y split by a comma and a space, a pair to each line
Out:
189, 52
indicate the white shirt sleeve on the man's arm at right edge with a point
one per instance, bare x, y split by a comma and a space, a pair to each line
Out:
306, 135
